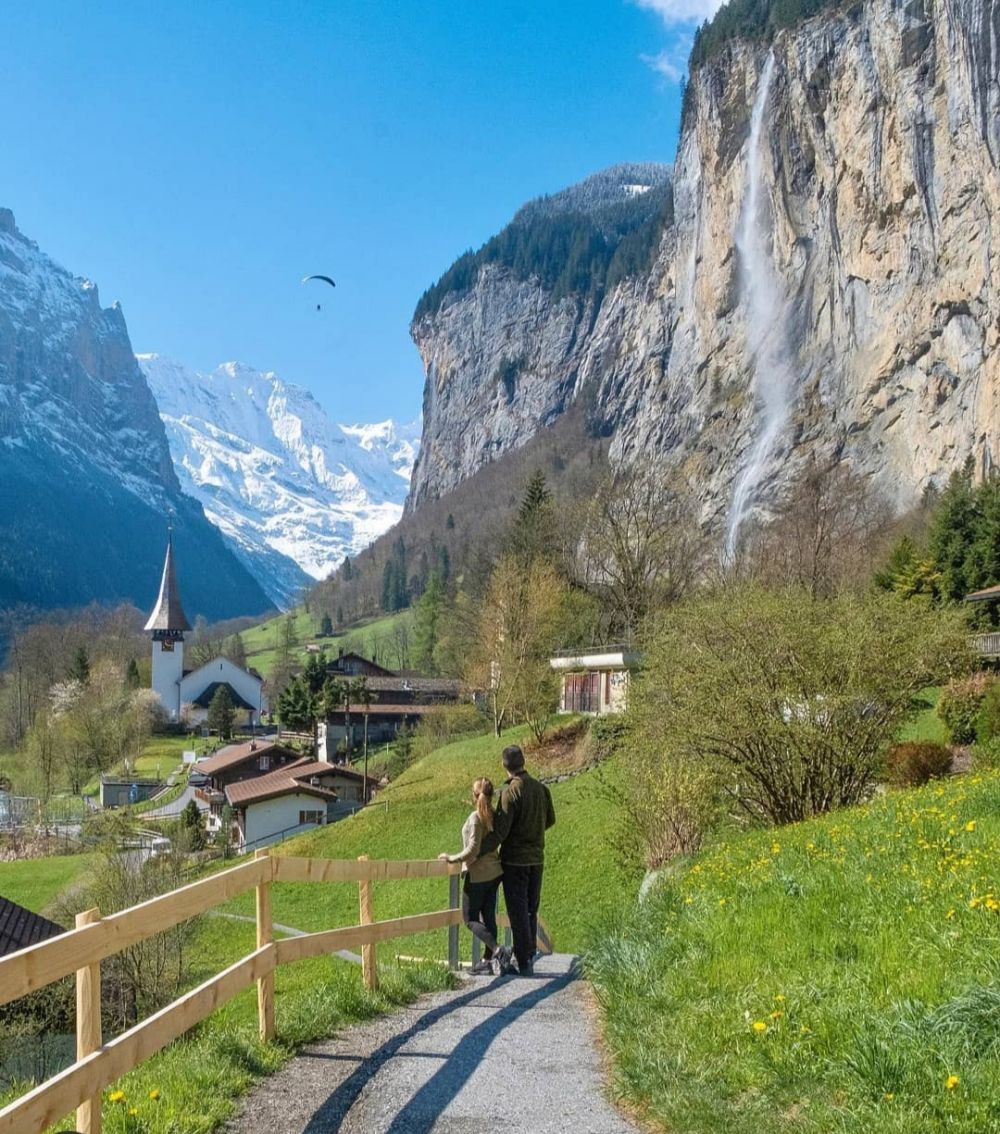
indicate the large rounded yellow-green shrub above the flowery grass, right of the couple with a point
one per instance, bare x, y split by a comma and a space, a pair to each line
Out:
781, 705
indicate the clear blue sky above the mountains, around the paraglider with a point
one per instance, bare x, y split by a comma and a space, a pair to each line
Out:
198, 159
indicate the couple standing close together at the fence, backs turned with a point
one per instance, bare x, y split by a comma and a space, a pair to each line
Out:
505, 845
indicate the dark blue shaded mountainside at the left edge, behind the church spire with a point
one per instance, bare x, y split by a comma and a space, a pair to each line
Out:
84, 464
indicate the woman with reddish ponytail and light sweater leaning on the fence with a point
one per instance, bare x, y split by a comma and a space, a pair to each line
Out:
481, 873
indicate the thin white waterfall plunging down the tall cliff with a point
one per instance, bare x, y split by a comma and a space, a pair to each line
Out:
765, 309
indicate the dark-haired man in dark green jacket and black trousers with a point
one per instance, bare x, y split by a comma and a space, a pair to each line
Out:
524, 815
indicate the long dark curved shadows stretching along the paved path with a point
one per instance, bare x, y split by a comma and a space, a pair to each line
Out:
427, 1105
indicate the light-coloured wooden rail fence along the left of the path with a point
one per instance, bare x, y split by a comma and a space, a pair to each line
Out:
81, 951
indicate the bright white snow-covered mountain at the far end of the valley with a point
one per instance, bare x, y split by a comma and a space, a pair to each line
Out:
292, 492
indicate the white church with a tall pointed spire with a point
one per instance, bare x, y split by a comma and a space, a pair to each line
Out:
187, 695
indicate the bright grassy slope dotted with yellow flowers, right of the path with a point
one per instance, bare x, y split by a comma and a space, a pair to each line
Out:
825, 977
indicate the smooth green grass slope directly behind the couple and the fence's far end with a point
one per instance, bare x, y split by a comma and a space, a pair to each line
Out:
422, 814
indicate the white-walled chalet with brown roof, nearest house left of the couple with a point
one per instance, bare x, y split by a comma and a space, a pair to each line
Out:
291, 800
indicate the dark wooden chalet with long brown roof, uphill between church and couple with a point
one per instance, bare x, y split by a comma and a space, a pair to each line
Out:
394, 700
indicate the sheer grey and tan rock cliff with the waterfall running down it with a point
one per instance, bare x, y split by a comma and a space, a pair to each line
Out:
829, 281
